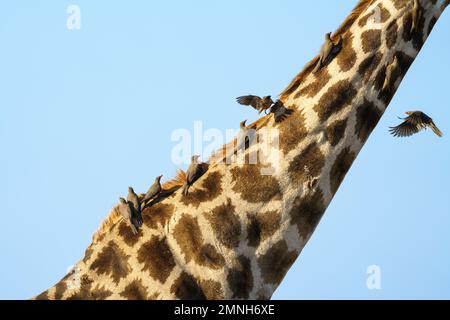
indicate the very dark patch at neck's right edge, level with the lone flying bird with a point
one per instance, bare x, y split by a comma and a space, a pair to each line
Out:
367, 117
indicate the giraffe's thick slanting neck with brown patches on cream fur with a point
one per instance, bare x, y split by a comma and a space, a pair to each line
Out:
238, 231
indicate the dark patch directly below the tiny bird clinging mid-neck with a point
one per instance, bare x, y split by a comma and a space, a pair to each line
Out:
307, 211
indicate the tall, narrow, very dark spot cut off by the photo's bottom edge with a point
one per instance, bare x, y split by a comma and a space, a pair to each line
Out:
240, 278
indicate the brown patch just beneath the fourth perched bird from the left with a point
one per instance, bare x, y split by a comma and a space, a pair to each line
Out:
209, 189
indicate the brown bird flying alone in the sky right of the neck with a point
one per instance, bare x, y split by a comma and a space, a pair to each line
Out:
414, 122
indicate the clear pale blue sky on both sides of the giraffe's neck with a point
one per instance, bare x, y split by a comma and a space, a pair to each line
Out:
85, 113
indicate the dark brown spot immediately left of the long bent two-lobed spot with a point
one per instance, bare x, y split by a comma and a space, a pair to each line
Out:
157, 258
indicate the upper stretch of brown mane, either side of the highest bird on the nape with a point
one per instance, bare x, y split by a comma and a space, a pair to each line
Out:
344, 27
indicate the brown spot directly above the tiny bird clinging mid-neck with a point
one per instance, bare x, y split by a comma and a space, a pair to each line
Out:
312, 158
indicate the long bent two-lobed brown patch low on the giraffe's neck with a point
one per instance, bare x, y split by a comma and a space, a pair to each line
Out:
189, 237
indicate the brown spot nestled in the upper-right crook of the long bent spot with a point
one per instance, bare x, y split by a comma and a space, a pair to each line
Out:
226, 224
